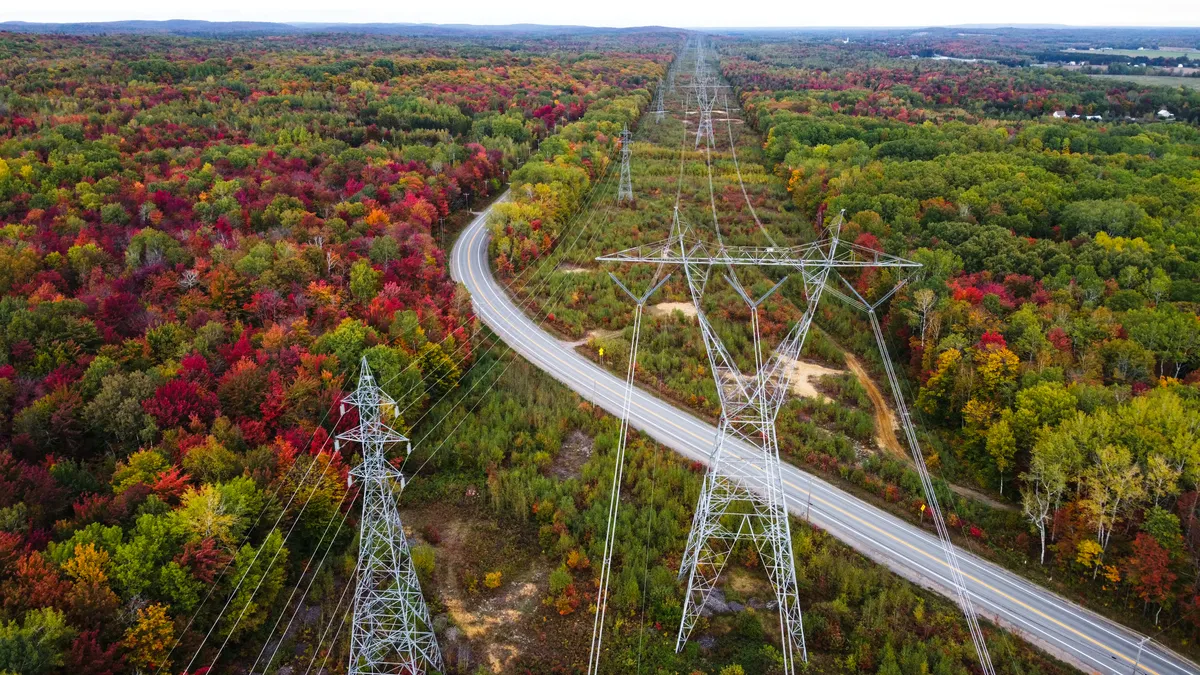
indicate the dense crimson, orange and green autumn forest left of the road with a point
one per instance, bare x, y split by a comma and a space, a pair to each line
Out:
201, 241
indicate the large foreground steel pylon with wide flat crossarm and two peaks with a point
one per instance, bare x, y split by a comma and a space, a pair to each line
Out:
743, 494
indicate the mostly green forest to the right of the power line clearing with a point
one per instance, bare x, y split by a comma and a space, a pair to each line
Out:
1053, 341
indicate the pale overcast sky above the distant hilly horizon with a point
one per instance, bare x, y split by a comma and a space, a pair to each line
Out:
629, 13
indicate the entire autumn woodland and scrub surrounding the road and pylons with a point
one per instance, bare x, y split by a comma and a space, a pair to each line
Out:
202, 237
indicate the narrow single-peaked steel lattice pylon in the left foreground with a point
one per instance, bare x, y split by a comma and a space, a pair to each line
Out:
392, 631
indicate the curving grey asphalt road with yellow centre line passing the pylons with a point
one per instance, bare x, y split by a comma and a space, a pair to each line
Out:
1090, 642
